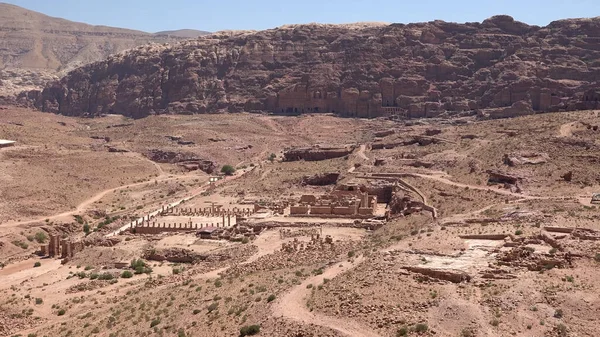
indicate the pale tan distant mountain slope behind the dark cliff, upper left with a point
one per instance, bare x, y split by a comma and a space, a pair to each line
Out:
34, 44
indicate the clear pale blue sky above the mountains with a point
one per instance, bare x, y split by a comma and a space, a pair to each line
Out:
213, 15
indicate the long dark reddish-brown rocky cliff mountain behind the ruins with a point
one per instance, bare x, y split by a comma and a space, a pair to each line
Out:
499, 67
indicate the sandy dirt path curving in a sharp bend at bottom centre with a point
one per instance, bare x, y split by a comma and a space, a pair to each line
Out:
293, 305
